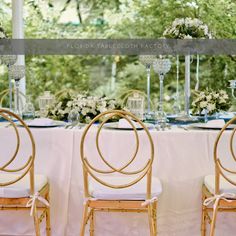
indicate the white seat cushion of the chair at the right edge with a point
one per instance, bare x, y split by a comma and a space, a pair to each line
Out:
225, 186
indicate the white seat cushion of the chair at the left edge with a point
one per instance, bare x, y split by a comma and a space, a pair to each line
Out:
22, 187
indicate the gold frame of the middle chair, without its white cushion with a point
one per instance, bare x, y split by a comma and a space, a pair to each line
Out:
93, 205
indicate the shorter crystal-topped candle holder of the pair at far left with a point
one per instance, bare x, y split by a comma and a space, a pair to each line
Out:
17, 72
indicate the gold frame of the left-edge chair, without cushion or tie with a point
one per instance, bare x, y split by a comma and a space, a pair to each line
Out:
28, 168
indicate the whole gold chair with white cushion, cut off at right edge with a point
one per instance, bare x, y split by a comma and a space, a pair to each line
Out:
219, 190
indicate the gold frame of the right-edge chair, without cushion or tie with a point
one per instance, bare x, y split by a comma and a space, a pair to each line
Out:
223, 205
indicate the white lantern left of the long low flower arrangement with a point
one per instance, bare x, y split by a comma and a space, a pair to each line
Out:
45, 101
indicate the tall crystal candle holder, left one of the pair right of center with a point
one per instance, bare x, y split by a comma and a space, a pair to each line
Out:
147, 61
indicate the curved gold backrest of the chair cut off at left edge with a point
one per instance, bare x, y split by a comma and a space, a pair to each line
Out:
28, 166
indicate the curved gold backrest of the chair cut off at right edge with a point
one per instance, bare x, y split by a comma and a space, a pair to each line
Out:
220, 169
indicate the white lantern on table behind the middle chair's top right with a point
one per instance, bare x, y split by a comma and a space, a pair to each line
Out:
135, 105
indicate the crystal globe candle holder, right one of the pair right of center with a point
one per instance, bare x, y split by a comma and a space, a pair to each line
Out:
161, 67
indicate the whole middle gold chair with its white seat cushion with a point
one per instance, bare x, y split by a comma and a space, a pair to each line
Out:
119, 189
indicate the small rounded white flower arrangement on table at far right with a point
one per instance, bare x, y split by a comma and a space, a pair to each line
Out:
212, 101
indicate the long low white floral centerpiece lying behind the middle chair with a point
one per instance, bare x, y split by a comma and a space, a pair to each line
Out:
86, 106
